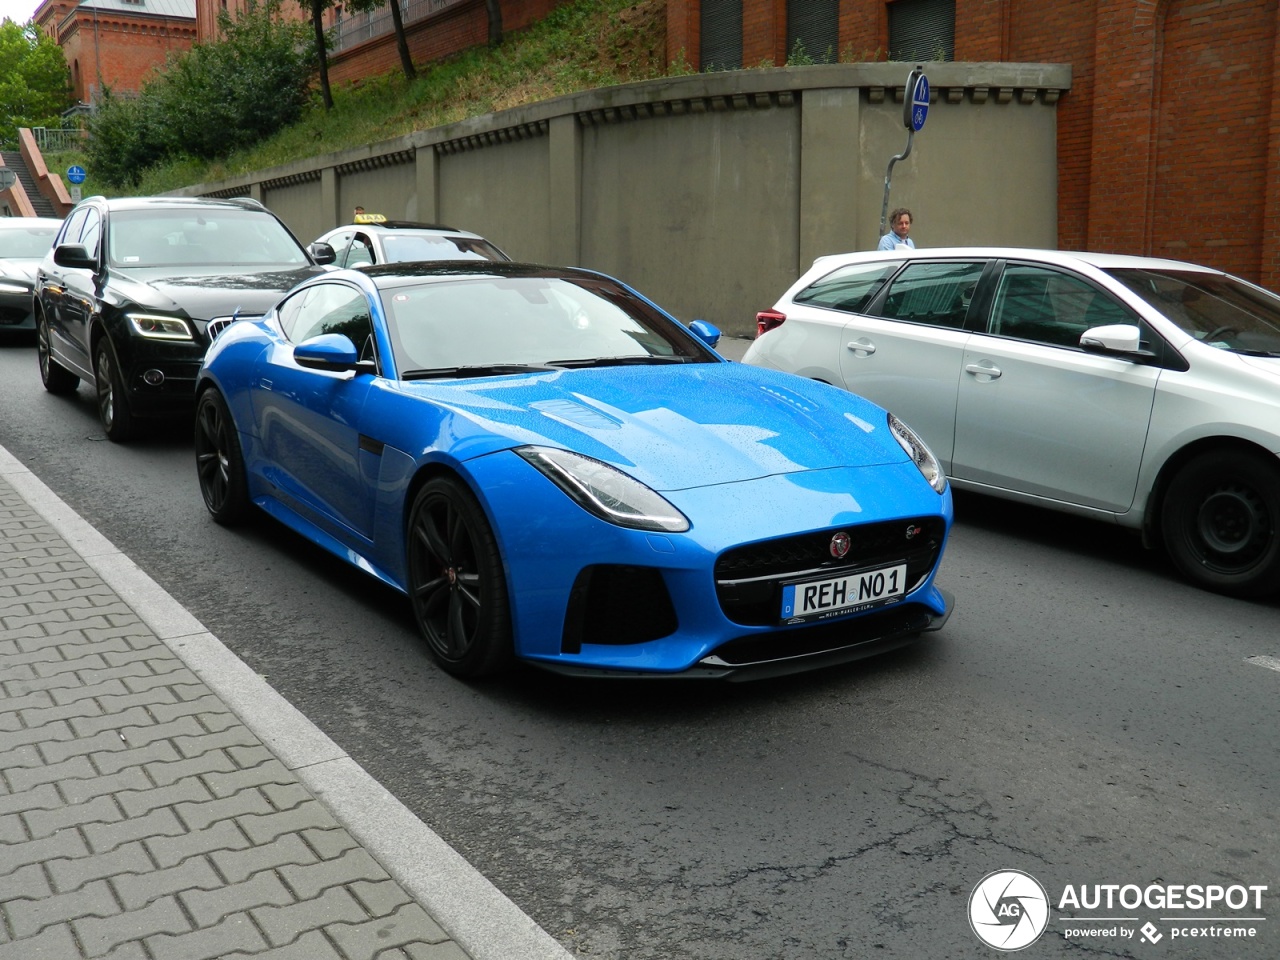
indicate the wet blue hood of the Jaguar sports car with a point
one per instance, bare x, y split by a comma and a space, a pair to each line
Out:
674, 427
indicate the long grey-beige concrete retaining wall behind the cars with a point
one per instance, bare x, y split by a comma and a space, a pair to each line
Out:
711, 194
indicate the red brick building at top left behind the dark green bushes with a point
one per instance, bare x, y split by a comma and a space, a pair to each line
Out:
117, 43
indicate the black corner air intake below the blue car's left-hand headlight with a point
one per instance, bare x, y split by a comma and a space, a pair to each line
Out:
618, 605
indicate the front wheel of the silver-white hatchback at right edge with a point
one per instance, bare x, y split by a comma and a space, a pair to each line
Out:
1222, 523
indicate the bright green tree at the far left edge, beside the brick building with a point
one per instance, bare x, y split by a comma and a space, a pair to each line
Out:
35, 84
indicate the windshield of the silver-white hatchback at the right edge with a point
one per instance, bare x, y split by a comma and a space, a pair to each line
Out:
1218, 310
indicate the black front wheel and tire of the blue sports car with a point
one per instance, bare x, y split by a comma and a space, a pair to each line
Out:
458, 586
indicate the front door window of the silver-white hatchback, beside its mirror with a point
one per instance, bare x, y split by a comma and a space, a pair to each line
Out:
1049, 307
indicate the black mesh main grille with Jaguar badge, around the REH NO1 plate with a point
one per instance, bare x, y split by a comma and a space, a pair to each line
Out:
749, 579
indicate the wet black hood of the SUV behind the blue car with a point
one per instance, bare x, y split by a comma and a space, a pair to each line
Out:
207, 294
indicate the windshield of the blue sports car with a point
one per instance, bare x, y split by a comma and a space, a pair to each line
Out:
487, 326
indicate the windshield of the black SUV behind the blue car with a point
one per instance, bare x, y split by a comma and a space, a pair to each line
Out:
190, 237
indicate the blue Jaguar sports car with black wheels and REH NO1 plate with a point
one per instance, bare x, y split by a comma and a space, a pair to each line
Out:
554, 469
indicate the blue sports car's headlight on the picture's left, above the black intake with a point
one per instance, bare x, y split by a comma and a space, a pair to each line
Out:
605, 491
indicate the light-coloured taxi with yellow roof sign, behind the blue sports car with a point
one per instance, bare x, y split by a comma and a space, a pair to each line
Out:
401, 241
